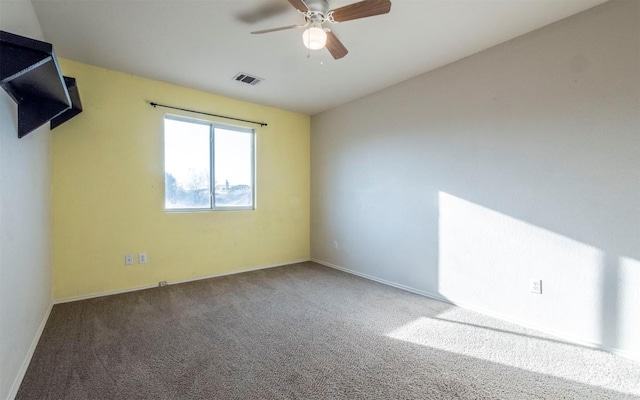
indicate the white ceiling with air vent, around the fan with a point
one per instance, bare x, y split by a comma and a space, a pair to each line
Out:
203, 44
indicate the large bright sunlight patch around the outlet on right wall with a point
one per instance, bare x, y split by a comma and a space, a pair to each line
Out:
489, 259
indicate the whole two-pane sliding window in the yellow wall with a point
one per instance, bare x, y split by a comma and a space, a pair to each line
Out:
207, 166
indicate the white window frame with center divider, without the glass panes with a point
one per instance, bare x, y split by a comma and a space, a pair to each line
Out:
212, 127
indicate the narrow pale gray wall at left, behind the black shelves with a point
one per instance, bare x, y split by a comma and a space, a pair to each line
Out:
25, 245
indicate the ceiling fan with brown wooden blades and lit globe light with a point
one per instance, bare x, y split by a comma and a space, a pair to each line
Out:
317, 12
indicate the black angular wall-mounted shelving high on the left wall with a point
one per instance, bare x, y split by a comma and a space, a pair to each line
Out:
30, 74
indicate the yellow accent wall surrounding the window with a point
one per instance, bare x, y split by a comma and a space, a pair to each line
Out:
108, 190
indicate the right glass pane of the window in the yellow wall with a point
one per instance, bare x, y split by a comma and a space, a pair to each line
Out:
233, 168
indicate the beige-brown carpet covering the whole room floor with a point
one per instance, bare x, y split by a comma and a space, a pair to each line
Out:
305, 332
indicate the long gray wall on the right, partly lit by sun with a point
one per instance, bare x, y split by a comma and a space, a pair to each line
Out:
521, 162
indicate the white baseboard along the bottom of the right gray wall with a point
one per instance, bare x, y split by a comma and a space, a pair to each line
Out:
526, 324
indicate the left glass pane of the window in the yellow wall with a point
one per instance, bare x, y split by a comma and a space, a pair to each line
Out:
187, 165
